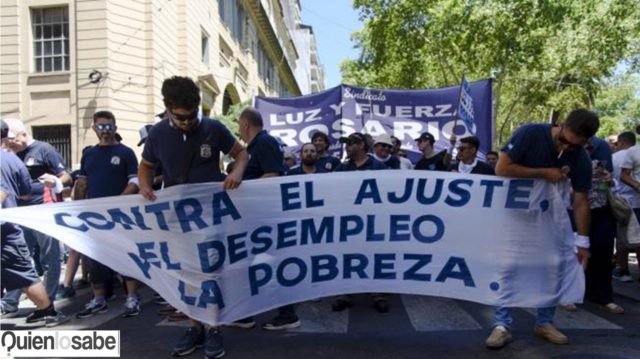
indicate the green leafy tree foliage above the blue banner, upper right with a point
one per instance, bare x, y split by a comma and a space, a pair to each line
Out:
545, 56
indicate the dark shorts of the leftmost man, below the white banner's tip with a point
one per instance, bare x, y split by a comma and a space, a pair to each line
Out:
17, 271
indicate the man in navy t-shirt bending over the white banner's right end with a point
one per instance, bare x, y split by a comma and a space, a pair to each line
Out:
555, 154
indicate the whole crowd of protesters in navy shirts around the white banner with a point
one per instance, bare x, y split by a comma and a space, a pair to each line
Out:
185, 147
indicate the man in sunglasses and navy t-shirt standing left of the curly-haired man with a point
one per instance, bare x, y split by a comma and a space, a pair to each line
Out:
107, 169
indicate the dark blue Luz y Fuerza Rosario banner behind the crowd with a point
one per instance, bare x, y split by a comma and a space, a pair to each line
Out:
405, 114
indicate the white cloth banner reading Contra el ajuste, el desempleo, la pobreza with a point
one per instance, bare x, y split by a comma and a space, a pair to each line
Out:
222, 255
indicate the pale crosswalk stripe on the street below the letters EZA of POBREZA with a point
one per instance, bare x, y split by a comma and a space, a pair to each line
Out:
428, 314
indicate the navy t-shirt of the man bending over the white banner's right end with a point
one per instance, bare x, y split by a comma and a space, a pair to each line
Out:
532, 146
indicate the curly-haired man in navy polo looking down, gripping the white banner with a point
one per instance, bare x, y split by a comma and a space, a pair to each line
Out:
188, 147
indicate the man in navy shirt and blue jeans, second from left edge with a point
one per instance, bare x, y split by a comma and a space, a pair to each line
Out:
49, 175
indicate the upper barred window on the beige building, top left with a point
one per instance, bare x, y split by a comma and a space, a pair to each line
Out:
50, 27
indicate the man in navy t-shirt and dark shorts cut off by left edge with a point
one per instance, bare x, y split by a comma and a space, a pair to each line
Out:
17, 269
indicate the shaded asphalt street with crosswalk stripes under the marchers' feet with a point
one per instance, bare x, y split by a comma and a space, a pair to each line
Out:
416, 327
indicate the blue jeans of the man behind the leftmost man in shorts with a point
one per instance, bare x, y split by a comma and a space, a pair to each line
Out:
49, 260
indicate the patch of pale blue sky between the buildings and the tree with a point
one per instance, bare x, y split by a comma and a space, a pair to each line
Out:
333, 22
